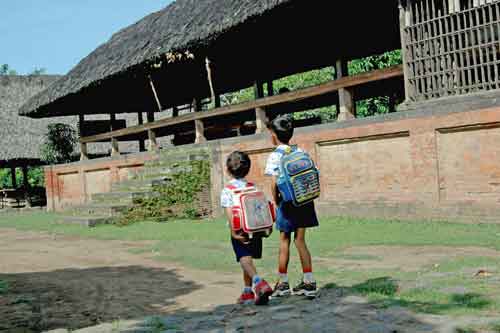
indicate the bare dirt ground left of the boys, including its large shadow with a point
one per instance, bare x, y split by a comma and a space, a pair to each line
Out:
56, 281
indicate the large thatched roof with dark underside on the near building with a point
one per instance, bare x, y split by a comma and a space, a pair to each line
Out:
246, 40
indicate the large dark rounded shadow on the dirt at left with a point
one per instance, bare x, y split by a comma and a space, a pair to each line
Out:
76, 298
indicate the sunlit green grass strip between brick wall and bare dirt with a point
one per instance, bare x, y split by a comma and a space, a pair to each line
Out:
430, 289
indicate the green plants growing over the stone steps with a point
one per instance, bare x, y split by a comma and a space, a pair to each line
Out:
178, 198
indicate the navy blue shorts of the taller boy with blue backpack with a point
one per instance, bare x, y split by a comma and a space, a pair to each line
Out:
289, 218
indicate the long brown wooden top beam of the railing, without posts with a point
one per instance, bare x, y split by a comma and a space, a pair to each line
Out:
293, 96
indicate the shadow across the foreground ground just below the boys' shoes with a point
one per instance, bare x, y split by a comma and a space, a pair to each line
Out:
337, 309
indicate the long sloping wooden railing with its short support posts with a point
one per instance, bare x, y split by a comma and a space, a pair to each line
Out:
342, 84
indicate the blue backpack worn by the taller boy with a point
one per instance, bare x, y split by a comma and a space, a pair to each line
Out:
299, 178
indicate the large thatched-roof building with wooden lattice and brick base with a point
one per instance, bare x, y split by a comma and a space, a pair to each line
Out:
192, 52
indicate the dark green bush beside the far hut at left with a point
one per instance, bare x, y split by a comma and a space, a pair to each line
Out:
59, 144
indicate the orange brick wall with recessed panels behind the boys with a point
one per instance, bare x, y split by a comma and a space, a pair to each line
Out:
440, 163
